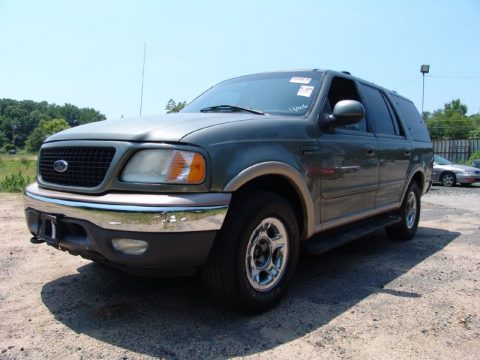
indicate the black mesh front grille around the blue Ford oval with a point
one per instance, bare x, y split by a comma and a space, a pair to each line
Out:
87, 166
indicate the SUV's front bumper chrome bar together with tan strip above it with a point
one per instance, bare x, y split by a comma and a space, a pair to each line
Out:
149, 213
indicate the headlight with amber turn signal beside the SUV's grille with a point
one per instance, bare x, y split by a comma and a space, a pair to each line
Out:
165, 166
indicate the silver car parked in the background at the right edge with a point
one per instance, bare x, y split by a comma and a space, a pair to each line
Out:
450, 174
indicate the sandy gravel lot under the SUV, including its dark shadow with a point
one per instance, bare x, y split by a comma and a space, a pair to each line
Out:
373, 299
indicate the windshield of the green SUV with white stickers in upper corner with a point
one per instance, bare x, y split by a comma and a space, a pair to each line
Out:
289, 93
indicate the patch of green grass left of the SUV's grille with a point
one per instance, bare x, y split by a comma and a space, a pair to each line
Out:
16, 171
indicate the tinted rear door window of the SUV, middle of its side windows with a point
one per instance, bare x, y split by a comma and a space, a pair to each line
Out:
378, 110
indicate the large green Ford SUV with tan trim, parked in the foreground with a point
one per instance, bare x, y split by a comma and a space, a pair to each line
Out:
247, 174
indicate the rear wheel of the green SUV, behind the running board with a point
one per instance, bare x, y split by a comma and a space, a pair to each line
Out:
410, 216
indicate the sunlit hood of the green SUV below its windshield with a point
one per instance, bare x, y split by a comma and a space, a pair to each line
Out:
169, 127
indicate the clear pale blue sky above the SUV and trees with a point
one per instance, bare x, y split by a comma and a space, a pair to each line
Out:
90, 53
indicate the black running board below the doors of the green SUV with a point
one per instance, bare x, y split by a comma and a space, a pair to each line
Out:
330, 239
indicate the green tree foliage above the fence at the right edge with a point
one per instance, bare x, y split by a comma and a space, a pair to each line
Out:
451, 122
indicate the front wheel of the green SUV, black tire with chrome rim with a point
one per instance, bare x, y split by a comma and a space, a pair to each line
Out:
255, 253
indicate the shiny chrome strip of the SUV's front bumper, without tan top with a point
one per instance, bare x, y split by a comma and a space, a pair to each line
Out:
138, 218
